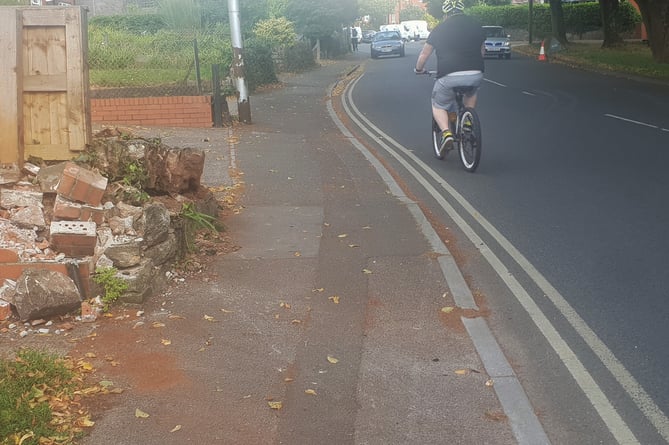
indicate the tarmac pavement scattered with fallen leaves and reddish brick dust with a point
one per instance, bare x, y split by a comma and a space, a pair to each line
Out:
331, 310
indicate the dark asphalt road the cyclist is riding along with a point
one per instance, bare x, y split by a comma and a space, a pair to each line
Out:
567, 213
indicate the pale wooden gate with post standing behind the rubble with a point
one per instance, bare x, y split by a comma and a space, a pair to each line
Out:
44, 110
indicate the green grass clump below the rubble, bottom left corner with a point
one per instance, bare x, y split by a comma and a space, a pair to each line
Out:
26, 385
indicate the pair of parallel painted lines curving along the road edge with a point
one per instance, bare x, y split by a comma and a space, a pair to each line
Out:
607, 412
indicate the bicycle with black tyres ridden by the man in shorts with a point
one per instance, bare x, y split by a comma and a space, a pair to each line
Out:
467, 135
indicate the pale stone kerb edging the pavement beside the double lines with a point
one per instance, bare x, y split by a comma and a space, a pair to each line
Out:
525, 425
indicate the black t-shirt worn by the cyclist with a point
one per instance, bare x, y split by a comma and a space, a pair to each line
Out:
457, 41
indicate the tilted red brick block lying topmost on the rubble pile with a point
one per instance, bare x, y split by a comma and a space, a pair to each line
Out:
82, 185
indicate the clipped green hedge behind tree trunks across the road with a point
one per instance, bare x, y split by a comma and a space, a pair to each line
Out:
579, 18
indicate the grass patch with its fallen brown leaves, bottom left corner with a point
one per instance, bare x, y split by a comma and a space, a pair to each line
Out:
36, 389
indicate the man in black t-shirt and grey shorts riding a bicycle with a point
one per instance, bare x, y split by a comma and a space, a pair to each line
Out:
458, 41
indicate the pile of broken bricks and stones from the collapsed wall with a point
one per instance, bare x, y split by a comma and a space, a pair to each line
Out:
59, 223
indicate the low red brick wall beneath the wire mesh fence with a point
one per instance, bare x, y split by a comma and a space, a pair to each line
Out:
169, 111
